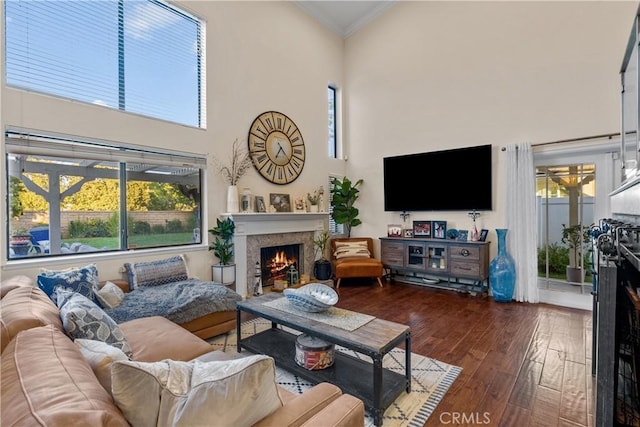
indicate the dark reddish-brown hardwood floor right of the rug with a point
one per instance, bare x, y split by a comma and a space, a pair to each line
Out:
523, 364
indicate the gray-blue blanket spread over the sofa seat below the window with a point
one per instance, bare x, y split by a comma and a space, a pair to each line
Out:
179, 302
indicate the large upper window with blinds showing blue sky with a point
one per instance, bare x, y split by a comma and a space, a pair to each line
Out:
139, 56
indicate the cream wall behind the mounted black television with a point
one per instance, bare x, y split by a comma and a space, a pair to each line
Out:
436, 75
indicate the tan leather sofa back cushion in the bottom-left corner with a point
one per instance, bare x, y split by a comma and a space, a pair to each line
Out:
46, 381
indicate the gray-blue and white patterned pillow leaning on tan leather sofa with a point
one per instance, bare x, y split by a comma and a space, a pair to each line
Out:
81, 318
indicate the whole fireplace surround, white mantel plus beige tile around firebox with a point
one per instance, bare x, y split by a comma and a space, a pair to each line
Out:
257, 230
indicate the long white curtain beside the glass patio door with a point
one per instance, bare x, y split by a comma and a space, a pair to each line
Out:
521, 220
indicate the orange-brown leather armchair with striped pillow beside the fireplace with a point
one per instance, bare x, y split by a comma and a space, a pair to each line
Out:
353, 257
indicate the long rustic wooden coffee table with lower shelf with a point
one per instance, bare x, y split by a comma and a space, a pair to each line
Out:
376, 386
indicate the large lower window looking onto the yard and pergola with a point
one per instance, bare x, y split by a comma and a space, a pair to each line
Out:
68, 196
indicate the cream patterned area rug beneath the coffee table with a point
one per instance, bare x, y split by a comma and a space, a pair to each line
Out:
430, 378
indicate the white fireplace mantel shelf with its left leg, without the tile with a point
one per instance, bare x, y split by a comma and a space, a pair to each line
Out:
251, 224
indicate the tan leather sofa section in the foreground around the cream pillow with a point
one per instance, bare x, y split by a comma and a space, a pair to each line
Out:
46, 379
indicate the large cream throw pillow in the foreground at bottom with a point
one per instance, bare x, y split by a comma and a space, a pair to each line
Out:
168, 393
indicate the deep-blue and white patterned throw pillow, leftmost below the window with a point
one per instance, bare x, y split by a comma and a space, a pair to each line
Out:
83, 280
